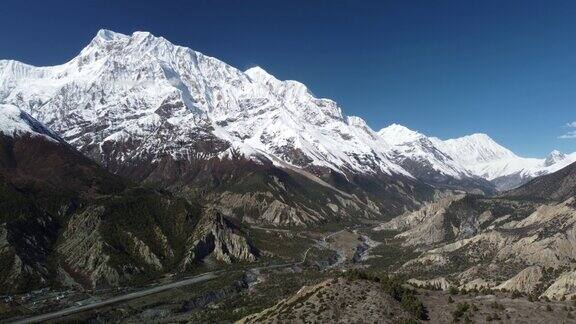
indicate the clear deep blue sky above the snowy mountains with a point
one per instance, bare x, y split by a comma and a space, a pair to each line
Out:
446, 68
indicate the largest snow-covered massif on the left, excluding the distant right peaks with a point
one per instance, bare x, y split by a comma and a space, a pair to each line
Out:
165, 99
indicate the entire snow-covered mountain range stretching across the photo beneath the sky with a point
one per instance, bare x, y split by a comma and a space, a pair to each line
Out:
131, 98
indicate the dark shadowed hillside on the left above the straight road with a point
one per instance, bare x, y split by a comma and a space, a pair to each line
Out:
63, 218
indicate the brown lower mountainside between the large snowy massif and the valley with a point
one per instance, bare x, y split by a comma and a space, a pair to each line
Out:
251, 188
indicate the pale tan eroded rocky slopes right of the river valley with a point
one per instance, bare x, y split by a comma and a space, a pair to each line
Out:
523, 241
